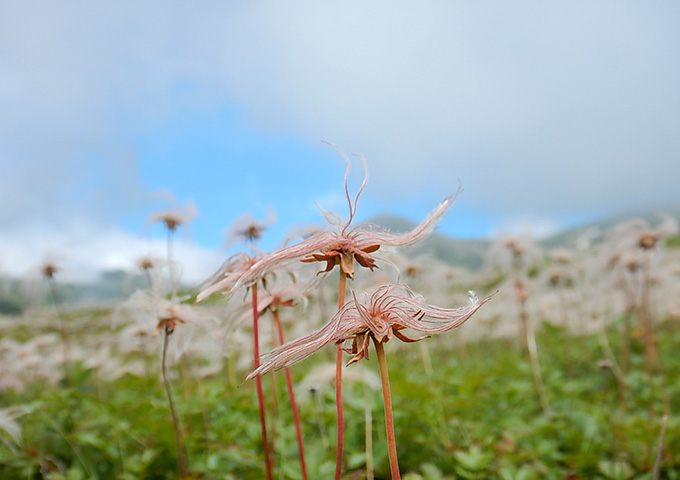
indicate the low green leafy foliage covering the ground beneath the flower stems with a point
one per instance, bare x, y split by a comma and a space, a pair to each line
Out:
475, 417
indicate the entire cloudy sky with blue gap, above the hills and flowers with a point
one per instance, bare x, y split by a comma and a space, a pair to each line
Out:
547, 115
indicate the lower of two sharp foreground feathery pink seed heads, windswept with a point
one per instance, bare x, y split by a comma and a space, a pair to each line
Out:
382, 316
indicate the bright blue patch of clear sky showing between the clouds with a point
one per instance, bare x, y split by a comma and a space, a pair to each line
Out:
226, 166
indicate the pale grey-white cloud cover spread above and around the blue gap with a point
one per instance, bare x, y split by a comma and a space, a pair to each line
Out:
543, 111
